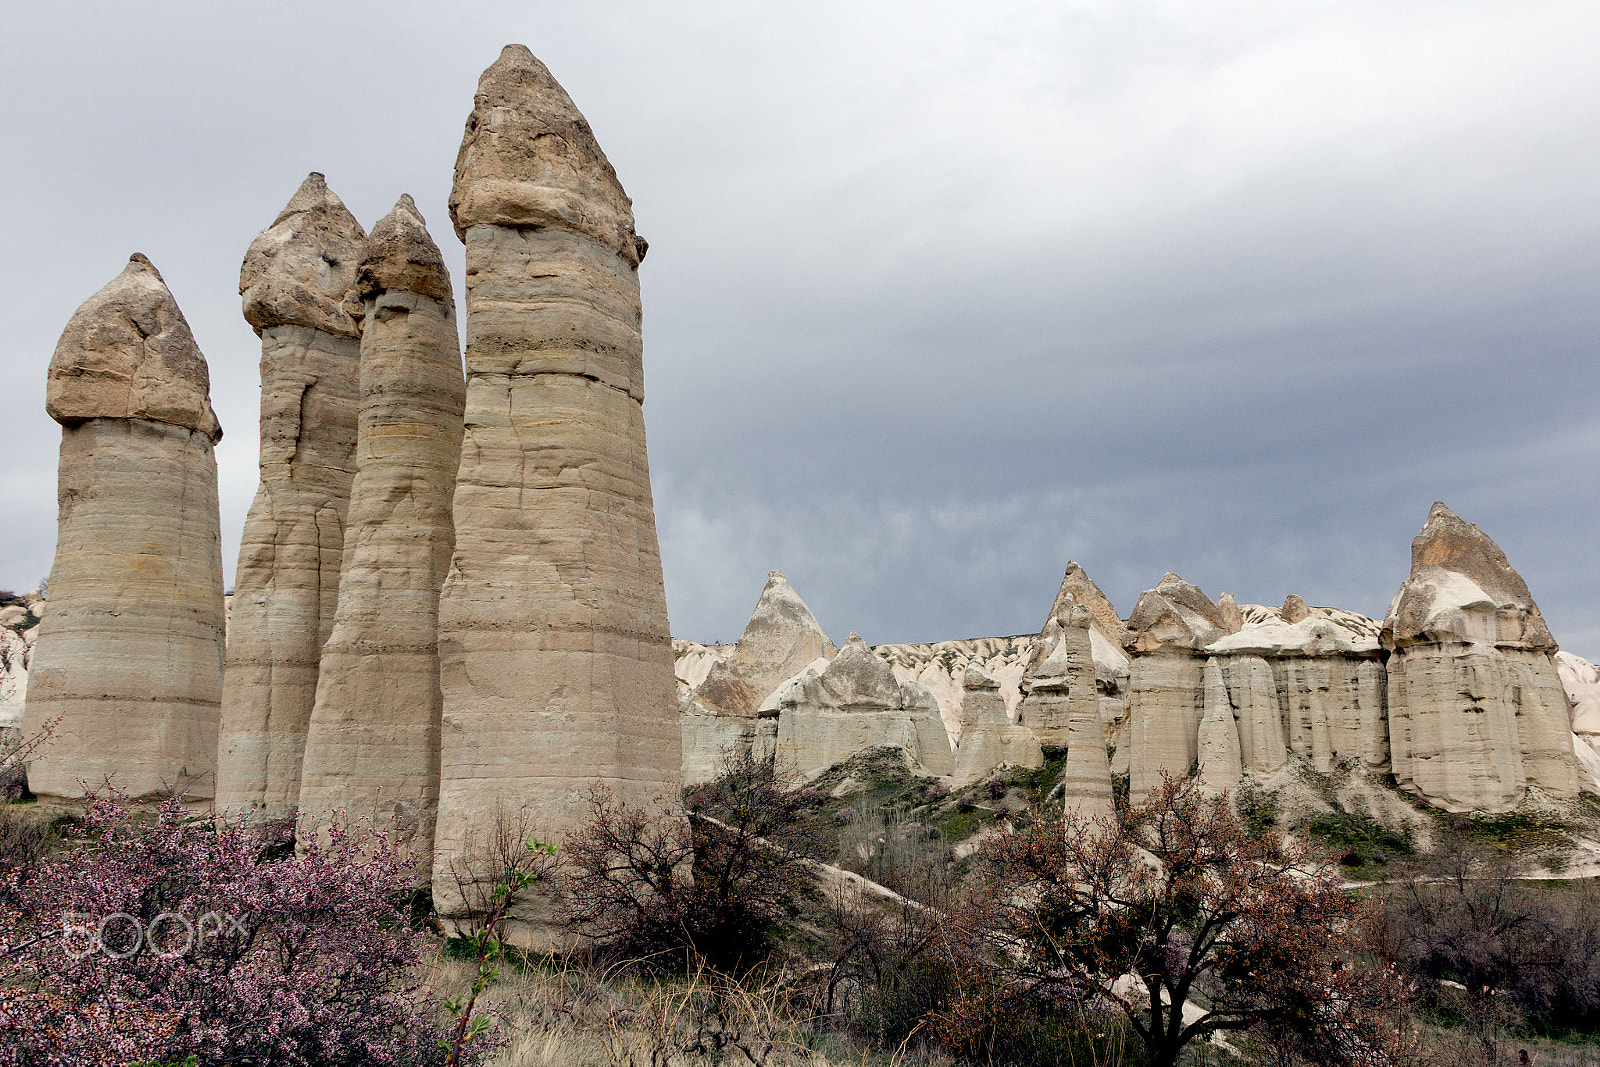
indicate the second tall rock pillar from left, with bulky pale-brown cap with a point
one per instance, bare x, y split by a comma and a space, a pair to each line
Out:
287, 585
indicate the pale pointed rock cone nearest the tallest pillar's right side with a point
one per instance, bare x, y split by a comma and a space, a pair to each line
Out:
778, 642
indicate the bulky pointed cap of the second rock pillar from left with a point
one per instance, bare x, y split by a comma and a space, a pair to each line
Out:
300, 270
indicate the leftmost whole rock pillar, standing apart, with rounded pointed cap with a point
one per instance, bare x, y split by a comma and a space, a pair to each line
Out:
130, 653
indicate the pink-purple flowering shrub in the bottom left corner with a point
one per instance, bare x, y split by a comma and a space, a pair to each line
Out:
169, 938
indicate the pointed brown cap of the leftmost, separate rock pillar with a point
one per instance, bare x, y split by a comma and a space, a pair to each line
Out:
129, 354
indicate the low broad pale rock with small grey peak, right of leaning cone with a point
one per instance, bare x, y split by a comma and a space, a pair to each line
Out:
857, 703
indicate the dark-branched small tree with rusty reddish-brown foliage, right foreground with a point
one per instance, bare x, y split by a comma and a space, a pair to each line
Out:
1170, 908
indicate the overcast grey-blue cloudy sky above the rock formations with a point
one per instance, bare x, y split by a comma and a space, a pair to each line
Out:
940, 297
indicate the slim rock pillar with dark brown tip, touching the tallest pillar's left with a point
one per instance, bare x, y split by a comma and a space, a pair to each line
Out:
374, 738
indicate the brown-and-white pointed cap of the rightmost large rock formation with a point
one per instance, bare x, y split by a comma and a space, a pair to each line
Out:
1463, 588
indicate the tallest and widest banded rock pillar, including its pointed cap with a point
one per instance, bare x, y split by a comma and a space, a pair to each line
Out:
556, 663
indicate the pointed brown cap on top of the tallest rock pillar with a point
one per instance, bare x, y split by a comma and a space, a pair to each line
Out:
529, 159
